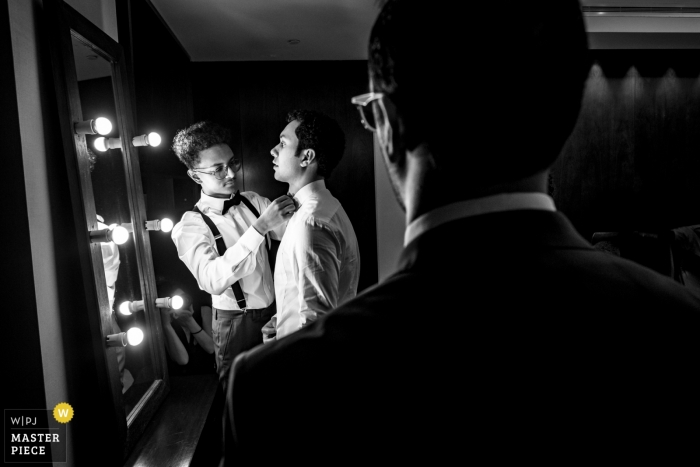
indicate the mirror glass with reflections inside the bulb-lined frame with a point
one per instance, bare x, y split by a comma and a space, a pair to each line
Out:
111, 199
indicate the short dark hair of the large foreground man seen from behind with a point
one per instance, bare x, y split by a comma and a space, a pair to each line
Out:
507, 85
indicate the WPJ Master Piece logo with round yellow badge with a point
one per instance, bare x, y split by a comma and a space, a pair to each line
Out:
36, 435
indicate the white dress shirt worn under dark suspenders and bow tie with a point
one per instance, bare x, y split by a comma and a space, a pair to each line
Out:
245, 259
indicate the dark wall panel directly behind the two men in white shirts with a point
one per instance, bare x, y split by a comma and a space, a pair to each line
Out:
253, 99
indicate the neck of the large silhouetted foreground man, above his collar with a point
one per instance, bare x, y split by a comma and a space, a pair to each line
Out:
424, 191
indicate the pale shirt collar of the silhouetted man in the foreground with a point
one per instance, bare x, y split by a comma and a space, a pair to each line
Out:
474, 207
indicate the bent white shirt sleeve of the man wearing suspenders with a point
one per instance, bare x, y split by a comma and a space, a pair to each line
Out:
197, 249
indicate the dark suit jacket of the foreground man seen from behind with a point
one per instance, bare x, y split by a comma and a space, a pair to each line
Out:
502, 335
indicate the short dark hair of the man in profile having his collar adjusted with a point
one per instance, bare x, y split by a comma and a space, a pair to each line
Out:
322, 134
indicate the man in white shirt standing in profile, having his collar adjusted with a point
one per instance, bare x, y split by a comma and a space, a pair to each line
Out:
318, 262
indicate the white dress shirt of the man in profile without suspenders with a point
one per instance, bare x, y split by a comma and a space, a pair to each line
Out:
318, 262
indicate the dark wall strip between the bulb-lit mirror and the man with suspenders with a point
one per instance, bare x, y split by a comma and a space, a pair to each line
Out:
161, 71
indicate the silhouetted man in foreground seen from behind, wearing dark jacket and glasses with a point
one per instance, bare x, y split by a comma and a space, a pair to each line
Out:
503, 335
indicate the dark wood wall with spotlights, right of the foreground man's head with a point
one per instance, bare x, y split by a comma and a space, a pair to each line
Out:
632, 162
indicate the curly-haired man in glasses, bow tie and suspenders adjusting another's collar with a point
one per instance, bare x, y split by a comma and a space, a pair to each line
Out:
236, 323
